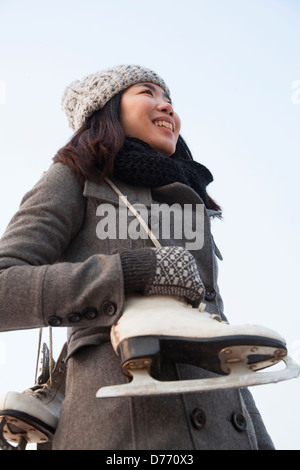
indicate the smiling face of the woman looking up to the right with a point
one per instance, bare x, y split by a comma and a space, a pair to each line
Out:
147, 114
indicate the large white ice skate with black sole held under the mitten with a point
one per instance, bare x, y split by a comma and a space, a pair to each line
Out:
165, 327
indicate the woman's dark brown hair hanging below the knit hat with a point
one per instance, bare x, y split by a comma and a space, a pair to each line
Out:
91, 150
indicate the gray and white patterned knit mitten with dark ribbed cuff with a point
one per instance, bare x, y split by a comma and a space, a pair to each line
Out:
162, 271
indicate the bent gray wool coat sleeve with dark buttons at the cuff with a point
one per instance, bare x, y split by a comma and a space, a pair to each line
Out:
35, 289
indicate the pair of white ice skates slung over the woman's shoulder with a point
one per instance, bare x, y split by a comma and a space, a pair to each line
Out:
152, 329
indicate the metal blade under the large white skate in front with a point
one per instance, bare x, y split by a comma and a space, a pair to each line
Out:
143, 384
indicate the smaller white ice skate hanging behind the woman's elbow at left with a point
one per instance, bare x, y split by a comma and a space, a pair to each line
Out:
32, 416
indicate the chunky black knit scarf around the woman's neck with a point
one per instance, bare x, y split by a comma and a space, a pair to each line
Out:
138, 164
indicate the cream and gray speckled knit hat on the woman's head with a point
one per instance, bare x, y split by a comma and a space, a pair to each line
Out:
83, 97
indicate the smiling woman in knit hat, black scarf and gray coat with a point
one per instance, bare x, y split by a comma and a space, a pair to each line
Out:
66, 261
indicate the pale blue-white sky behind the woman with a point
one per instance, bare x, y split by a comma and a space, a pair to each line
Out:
233, 70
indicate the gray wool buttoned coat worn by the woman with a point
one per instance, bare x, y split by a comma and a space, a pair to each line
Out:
55, 270
